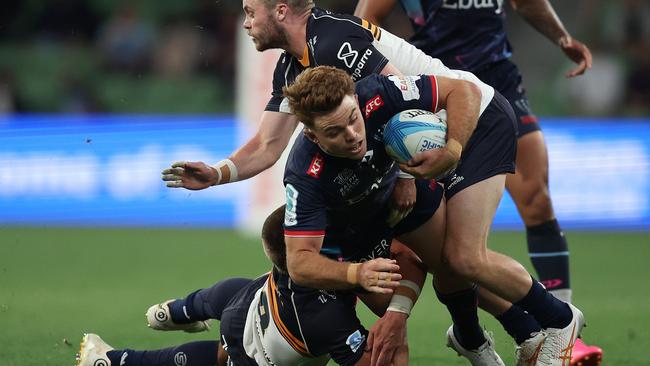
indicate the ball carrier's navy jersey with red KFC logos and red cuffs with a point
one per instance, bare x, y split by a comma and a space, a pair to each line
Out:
345, 198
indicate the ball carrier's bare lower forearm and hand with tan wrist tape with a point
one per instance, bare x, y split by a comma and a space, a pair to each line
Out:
307, 267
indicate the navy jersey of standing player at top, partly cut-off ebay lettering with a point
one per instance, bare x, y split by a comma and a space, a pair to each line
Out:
464, 34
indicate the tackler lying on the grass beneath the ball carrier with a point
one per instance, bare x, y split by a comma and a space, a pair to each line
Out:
266, 321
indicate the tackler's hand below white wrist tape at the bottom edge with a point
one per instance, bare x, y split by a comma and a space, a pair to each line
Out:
387, 340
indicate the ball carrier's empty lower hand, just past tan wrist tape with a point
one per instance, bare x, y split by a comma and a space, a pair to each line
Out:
379, 275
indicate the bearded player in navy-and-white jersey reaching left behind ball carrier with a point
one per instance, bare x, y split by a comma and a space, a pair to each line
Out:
312, 36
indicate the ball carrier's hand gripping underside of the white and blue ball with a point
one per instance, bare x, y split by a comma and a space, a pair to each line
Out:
434, 163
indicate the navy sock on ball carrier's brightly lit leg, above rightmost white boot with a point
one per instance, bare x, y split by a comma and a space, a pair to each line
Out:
547, 310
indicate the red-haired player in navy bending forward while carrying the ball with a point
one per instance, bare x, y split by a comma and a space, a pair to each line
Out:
339, 165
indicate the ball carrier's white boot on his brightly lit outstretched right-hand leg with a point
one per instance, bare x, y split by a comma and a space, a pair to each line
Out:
557, 349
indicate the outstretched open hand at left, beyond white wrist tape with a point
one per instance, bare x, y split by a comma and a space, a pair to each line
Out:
190, 175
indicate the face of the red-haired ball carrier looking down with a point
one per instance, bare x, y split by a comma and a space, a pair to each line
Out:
342, 133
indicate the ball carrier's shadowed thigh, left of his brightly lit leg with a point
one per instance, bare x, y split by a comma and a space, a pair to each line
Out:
428, 239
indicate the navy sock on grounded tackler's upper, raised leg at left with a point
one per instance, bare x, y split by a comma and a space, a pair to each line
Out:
207, 303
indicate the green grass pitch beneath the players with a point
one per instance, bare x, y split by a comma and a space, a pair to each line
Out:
56, 284
